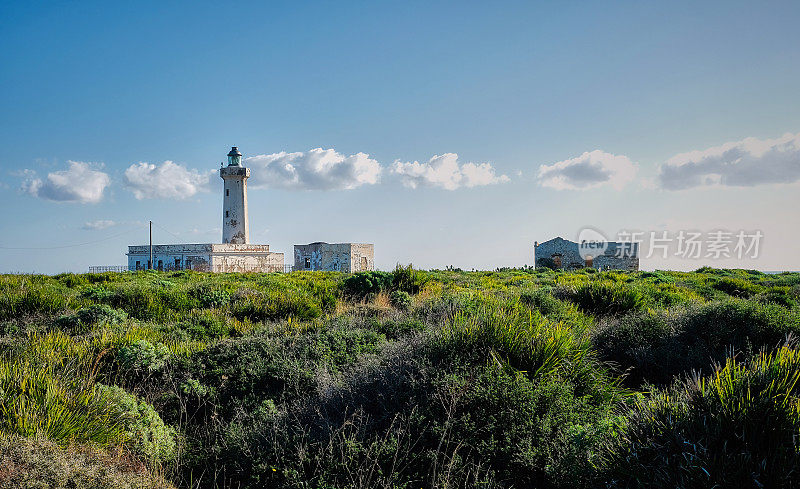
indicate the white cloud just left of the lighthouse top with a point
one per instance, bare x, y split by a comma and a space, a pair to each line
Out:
166, 181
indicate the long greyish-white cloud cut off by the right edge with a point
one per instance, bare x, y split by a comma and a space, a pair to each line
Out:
744, 163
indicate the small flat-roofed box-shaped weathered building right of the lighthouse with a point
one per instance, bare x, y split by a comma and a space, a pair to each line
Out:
335, 257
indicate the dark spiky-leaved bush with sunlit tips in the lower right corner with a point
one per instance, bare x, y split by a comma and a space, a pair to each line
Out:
736, 428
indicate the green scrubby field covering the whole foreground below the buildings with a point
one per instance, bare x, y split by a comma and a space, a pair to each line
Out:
403, 379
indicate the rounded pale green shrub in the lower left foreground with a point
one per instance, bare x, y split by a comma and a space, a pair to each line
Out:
145, 433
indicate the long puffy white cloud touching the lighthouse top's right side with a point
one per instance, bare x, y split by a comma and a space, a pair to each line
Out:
317, 169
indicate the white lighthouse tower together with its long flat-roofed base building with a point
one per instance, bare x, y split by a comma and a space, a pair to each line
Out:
234, 254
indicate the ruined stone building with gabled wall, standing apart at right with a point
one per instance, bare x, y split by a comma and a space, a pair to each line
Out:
568, 255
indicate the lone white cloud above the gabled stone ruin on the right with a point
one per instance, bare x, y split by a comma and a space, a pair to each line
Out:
589, 170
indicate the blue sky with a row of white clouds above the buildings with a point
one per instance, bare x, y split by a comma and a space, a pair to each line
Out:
563, 115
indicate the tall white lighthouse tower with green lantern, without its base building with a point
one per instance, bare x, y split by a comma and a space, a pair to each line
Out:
235, 228
